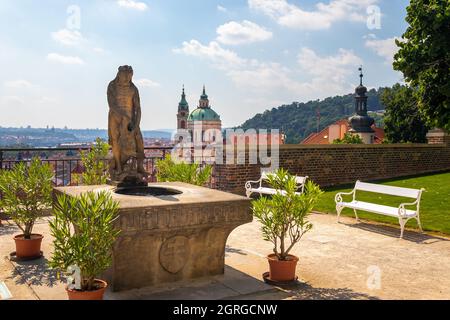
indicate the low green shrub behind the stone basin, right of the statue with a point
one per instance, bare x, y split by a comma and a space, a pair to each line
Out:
171, 171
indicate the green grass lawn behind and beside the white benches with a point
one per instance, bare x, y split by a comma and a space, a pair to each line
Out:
434, 207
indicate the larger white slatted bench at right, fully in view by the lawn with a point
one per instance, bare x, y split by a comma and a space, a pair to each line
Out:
399, 212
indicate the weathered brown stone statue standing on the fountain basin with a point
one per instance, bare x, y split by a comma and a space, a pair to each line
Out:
124, 118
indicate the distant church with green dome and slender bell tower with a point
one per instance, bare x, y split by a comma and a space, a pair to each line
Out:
203, 116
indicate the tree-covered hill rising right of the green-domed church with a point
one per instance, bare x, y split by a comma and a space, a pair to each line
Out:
298, 120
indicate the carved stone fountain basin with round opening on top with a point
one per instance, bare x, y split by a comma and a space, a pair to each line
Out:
179, 232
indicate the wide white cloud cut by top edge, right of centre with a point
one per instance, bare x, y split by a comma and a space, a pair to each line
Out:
324, 15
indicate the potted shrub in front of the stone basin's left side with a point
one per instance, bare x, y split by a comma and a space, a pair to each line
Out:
84, 235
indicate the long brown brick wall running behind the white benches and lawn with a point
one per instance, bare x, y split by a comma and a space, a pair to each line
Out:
330, 165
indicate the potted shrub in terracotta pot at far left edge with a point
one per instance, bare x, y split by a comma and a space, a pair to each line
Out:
26, 195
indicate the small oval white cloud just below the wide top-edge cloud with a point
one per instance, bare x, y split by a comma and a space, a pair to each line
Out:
234, 33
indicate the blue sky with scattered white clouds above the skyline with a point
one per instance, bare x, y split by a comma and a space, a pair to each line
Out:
58, 56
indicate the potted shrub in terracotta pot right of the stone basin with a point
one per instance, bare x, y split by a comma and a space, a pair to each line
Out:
284, 219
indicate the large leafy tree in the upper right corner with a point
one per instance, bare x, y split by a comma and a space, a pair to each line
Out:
424, 58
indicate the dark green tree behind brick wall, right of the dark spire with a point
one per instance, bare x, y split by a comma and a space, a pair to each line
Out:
403, 122
